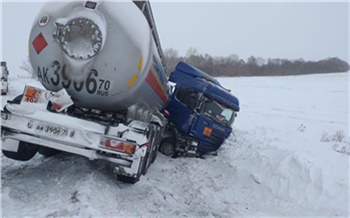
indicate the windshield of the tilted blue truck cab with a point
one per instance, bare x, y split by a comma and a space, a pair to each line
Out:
218, 112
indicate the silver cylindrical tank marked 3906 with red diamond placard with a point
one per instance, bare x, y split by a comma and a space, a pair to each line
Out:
102, 53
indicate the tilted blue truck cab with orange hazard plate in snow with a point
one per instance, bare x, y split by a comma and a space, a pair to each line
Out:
200, 113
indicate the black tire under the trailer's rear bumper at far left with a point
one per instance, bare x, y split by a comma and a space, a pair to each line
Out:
26, 151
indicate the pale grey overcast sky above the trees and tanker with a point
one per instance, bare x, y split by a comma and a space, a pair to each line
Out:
308, 30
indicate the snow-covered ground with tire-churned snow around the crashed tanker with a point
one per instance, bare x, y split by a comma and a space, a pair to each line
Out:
289, 156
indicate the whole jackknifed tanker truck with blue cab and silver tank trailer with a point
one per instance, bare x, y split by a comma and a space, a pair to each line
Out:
106, 95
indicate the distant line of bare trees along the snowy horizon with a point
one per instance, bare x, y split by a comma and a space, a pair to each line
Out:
253, 66
